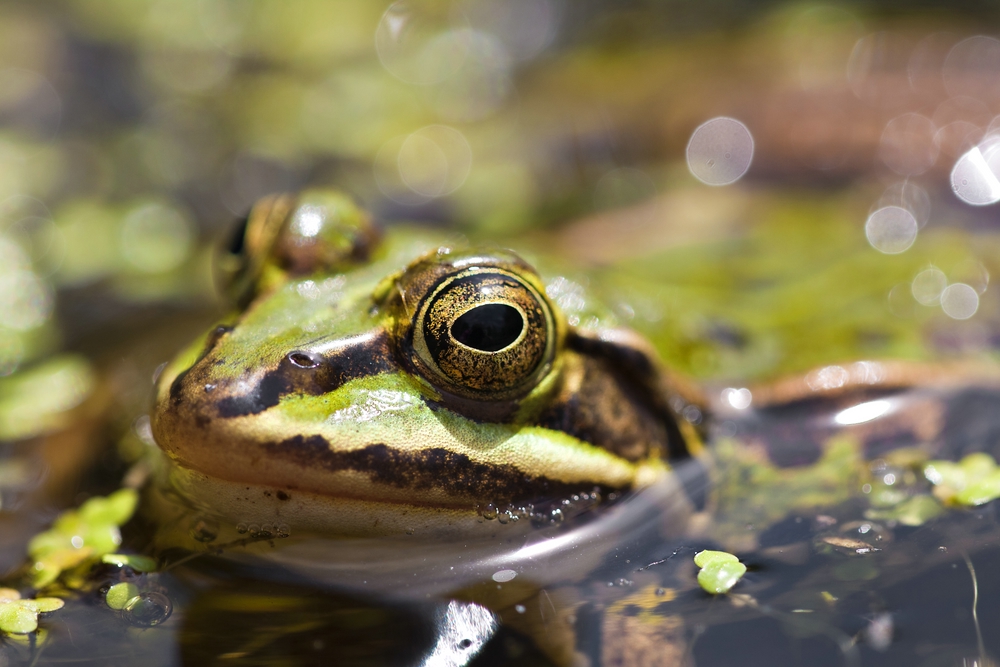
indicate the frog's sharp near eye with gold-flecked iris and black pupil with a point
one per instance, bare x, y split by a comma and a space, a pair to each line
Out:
485, 333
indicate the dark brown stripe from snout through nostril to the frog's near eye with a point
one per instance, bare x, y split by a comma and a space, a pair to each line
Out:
366, 356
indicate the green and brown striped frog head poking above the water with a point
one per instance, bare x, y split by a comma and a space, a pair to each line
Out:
367, 386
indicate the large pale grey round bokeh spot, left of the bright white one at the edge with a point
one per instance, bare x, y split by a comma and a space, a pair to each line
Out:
720, 151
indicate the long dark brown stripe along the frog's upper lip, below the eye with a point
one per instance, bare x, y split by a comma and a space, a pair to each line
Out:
434, 467
